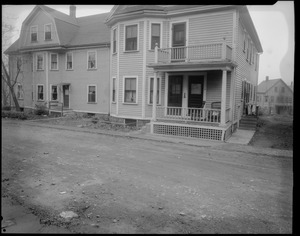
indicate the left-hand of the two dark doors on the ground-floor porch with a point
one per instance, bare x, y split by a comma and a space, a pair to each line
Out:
175, 93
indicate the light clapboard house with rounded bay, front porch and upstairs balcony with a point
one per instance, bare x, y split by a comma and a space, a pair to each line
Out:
197, 58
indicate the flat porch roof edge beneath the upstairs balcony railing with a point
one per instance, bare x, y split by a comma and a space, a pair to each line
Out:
193, 66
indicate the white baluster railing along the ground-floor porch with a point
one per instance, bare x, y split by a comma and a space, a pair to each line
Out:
203, 115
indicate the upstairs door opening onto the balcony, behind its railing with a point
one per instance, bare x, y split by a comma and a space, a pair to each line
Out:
178, 41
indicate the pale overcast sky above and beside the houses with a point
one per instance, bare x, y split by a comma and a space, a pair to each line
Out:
274, 25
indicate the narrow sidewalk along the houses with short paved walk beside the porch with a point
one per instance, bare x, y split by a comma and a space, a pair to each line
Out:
237, 142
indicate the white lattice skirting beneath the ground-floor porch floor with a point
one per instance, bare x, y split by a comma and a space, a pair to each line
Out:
189, 131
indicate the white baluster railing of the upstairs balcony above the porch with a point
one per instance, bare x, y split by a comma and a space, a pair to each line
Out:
205, 52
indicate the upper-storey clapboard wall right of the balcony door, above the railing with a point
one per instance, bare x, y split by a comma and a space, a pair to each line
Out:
209, 28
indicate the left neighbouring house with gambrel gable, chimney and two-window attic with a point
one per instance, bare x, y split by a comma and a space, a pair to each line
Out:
63, 60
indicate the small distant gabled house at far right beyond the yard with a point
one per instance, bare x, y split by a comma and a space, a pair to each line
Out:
274, 97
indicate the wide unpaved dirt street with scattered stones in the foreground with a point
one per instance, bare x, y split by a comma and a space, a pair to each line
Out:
124, 185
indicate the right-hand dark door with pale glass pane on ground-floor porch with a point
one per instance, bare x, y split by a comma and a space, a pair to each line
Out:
195, 95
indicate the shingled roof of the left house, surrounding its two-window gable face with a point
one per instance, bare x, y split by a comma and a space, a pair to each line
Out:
88, 30
